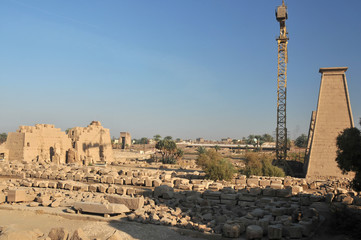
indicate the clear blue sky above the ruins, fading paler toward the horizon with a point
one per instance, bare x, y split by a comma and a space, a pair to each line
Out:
185, 68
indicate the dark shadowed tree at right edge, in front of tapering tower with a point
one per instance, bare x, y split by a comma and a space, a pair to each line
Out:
349, 154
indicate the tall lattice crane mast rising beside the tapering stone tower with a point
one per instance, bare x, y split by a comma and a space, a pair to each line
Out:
281, 130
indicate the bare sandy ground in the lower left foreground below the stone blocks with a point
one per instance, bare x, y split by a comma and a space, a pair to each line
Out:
22, 218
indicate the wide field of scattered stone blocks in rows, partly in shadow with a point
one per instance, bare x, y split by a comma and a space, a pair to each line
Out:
272, 208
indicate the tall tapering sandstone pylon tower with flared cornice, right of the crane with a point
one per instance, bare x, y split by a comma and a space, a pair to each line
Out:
332, 116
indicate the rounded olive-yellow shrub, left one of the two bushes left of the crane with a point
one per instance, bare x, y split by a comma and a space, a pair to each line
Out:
215, 167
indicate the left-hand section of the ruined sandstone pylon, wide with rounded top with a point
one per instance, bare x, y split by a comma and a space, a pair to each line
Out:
42, 142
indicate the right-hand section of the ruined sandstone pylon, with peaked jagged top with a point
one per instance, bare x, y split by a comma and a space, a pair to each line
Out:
91, 144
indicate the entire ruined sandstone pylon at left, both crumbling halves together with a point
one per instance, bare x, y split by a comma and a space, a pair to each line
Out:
45, 143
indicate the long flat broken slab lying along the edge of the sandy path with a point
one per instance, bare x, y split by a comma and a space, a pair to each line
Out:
100, 208
